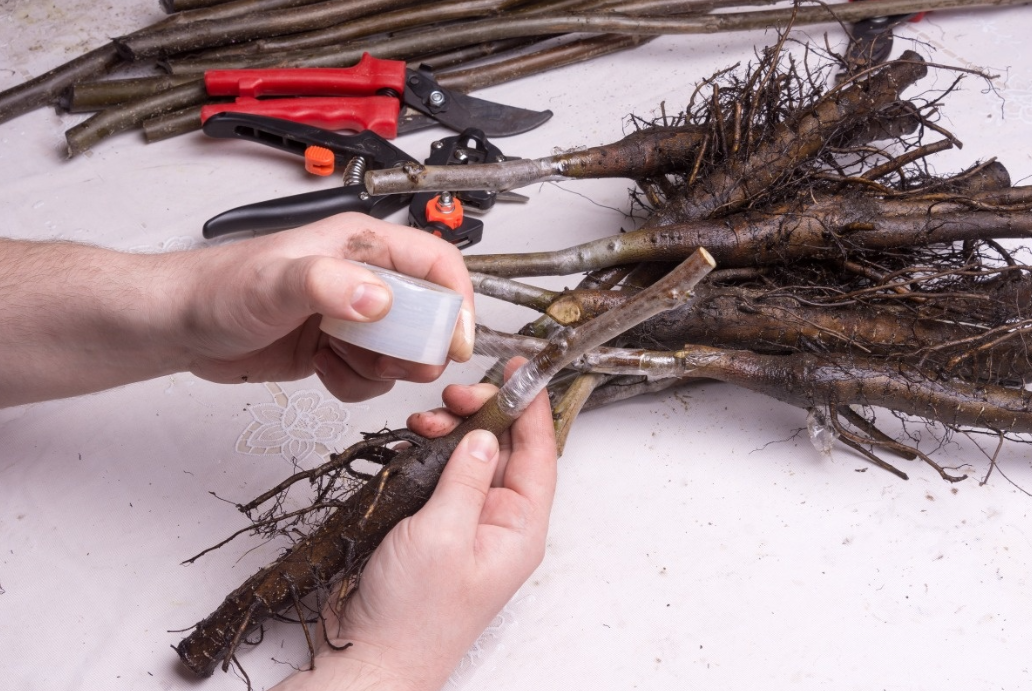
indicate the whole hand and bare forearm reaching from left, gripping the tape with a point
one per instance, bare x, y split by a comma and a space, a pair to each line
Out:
77, 319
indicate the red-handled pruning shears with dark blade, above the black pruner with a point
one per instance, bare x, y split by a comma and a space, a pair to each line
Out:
368, 96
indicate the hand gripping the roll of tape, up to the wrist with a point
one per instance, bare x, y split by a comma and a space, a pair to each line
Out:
254, 307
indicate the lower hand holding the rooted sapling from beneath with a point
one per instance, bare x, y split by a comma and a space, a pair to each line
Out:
441, 576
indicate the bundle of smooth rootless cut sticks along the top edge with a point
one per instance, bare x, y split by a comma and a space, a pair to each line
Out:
453, 37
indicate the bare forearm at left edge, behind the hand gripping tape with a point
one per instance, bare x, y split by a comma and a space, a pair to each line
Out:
77, 319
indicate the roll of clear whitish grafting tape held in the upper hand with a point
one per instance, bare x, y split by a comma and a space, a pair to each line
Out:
418, 327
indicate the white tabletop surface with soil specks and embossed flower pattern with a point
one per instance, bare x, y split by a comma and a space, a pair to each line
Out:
698, 540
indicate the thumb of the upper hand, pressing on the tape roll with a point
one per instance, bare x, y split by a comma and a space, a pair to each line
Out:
337, 288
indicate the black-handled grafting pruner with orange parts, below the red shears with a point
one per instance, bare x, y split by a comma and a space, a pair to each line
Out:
441, 215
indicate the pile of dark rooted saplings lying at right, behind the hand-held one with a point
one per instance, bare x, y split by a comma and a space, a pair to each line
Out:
852, 278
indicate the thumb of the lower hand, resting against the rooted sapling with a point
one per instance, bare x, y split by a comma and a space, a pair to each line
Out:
460, 497
